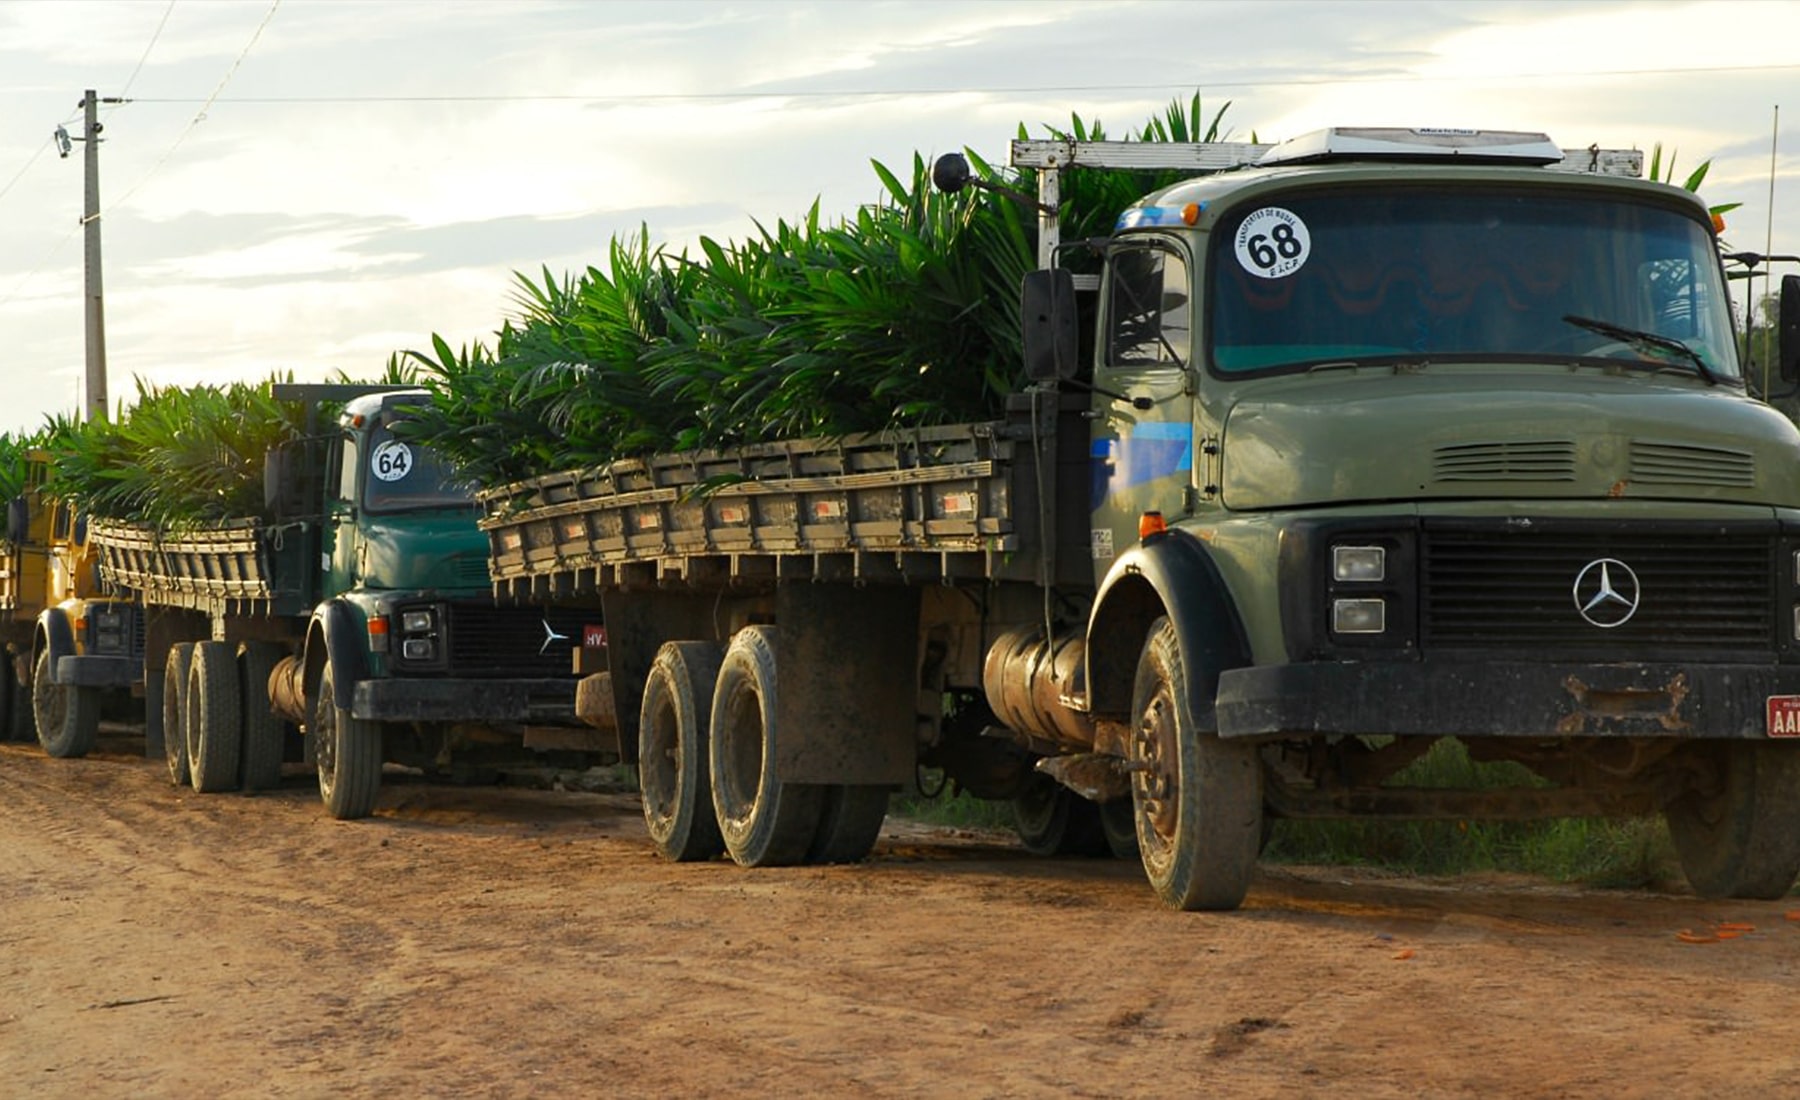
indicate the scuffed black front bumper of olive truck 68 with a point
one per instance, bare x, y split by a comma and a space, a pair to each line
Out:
1506, 699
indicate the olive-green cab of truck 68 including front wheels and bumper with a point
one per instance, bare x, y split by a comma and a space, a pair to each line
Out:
1417, 435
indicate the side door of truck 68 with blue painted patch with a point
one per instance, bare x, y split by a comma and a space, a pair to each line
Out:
1144, 426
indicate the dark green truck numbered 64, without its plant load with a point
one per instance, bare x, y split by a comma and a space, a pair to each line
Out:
354, 629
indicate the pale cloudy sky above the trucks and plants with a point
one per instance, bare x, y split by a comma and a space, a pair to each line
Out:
312, 185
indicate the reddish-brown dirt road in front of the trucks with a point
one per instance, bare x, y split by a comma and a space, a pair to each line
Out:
507, 942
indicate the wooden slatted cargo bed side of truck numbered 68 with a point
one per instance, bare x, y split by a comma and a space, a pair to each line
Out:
892, 507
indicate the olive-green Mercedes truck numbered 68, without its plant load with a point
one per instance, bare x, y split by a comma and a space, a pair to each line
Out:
1338, 449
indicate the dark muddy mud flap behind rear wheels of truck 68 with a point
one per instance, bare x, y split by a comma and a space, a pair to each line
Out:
847, 683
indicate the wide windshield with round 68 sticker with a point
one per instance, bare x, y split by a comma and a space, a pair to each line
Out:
1464, 276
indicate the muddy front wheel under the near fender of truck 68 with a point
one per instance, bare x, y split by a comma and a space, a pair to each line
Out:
1198, 798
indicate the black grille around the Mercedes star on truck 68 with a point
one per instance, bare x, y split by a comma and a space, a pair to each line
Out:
1704, 588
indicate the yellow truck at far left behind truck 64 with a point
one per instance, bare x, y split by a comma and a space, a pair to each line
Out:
75, 651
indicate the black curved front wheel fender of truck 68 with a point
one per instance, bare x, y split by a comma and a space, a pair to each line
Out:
1167, 575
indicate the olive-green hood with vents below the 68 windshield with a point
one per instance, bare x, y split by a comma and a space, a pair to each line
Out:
1455, 435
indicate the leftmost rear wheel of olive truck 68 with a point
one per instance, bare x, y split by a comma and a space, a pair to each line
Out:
672, 768
